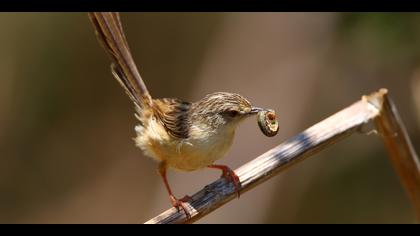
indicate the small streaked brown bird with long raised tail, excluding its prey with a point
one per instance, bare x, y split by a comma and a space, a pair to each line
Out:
180, 135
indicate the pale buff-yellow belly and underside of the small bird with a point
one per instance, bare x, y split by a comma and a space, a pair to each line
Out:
186, 154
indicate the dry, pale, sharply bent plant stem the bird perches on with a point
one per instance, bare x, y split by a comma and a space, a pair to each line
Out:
375, 107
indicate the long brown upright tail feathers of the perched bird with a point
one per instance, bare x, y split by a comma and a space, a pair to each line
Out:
111, 34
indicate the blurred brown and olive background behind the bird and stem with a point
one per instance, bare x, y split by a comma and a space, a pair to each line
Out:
66, 127
